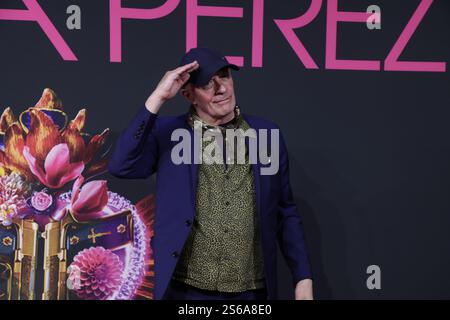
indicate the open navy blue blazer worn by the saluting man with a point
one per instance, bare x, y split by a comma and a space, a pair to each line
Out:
145, 146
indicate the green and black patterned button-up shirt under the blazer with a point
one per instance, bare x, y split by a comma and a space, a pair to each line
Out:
223, 251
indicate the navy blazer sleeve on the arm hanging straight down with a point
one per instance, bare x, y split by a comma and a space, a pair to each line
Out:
290, 232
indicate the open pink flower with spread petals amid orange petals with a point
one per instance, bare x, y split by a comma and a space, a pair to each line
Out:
57, 169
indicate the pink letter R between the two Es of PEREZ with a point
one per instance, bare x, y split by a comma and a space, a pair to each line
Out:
287, 28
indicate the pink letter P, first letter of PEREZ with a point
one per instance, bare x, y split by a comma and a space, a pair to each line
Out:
117, 13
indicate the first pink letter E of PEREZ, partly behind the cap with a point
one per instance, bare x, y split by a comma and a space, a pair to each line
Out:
193, 11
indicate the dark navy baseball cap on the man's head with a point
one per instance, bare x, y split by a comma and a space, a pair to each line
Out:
210, 61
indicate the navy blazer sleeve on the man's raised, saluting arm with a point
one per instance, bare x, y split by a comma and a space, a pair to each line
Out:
135, 155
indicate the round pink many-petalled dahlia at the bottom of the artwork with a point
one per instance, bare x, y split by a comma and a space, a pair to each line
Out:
96, 273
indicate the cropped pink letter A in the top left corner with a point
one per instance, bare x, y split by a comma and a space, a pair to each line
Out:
35, 13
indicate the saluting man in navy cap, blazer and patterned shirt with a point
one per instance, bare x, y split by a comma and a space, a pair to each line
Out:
216, 223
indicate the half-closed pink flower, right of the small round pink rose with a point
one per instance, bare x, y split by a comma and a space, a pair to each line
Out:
90, 201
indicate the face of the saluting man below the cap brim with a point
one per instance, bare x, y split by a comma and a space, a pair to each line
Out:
216, 100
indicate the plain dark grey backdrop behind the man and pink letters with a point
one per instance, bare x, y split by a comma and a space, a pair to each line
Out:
369, 150
